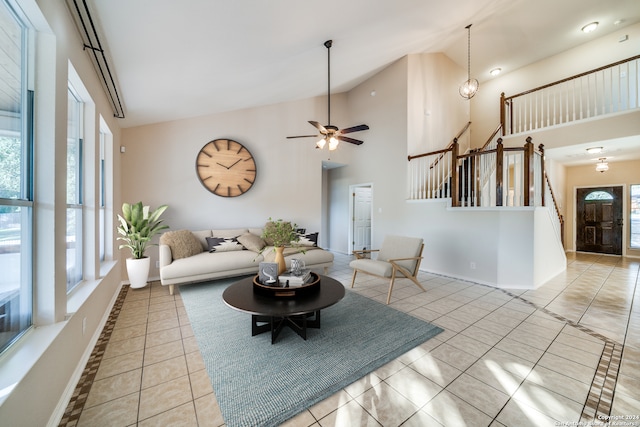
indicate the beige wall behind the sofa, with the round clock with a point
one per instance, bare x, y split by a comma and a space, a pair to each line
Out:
158, 167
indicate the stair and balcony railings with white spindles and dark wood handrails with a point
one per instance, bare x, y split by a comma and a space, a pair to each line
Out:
498, 176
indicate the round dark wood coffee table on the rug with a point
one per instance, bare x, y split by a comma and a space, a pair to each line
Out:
273, 313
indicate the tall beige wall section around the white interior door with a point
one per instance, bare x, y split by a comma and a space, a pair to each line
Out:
381, 160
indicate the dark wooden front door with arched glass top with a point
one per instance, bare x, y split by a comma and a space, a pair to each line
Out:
599, 220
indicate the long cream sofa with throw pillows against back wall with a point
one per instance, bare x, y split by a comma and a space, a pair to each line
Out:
196, 264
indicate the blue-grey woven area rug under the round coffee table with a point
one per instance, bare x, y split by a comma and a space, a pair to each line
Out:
260, 384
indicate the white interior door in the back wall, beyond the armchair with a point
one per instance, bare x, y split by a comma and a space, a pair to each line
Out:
361, 213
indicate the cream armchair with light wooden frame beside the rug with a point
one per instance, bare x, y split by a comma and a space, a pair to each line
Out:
397, 255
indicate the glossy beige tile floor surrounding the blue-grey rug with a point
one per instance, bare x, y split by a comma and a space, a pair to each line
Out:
564, 353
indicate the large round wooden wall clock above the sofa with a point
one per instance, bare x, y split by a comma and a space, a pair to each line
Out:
226, 168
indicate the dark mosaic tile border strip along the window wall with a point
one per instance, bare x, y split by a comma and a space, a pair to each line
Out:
76, 404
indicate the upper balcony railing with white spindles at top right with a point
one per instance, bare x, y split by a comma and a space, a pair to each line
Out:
605, 90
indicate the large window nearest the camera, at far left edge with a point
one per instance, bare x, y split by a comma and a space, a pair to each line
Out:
16, 194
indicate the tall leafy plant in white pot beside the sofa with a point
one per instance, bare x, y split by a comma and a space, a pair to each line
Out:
138, 225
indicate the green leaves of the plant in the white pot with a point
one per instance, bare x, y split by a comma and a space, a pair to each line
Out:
138, 225
